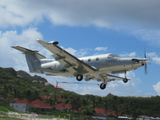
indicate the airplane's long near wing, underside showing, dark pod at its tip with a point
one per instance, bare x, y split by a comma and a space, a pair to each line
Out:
70, 62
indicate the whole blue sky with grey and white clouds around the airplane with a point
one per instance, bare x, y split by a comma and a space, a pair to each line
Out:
126, 28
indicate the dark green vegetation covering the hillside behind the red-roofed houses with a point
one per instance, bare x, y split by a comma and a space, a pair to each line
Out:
21, 85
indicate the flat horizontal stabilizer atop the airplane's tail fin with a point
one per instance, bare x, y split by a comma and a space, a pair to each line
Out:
28, 51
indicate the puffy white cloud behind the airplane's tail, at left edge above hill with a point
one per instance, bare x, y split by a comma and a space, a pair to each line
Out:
13, 58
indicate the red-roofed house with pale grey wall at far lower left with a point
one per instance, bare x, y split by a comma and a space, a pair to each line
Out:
26, 106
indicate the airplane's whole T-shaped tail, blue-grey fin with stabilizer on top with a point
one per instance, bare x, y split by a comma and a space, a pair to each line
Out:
32, 58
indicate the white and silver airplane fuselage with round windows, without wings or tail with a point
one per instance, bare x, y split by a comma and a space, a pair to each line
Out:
102, 63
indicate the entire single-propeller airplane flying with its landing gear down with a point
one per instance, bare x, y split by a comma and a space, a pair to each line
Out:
98, 67
